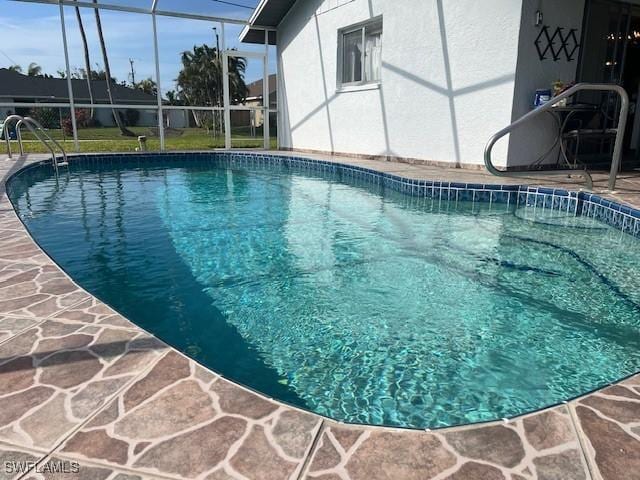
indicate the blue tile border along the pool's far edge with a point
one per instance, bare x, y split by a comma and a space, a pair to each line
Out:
621, 217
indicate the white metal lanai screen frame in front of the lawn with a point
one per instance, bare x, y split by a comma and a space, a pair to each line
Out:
154, 12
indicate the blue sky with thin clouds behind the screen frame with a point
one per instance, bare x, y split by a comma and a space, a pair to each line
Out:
32, 34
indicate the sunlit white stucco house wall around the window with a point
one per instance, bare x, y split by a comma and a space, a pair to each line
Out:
448, 71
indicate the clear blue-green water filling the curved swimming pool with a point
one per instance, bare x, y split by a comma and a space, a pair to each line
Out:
354, 302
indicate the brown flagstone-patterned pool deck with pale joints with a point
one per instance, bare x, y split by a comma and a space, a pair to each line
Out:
80, 383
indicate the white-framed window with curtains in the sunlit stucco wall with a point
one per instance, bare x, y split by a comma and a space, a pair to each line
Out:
360, 54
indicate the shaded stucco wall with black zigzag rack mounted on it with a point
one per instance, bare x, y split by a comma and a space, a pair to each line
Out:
528, 143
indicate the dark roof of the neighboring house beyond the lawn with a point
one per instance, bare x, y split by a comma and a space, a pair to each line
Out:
17, 86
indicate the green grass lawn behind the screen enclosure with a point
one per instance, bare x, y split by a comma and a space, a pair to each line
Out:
109, 139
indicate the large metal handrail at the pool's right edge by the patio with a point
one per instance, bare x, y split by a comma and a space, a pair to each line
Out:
617, 150
